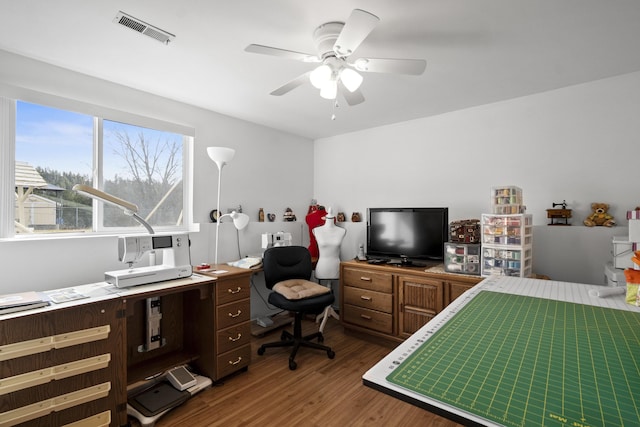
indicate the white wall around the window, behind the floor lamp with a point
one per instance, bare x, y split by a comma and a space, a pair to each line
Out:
259, 176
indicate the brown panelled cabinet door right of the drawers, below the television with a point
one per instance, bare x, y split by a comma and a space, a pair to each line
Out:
420, 299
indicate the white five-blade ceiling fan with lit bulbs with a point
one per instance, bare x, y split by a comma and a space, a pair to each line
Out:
335, 43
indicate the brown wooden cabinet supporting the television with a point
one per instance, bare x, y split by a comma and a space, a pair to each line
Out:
394, 302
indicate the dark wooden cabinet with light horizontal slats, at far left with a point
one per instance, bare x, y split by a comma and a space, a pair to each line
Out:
62, 366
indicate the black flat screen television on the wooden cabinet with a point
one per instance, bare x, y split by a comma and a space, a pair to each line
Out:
408, 234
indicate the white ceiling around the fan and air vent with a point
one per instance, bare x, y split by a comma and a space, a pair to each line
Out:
477, 52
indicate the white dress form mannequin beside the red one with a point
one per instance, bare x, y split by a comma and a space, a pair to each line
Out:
329, 238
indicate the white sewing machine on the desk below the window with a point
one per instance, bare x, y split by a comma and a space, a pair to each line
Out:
176, 259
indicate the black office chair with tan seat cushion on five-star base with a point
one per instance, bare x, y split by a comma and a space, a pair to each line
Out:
287, 270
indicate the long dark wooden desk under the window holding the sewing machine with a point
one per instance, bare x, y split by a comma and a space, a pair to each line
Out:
74, 361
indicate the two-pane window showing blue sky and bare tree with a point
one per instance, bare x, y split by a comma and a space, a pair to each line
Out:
56, 149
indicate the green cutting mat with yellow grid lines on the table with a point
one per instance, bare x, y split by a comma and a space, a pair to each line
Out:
524, 361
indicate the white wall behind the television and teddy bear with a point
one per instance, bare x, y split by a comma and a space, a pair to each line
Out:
578, 144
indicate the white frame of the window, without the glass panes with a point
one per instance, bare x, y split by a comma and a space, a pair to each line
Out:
8, 117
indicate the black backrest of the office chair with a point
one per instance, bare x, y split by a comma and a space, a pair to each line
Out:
286, 262
